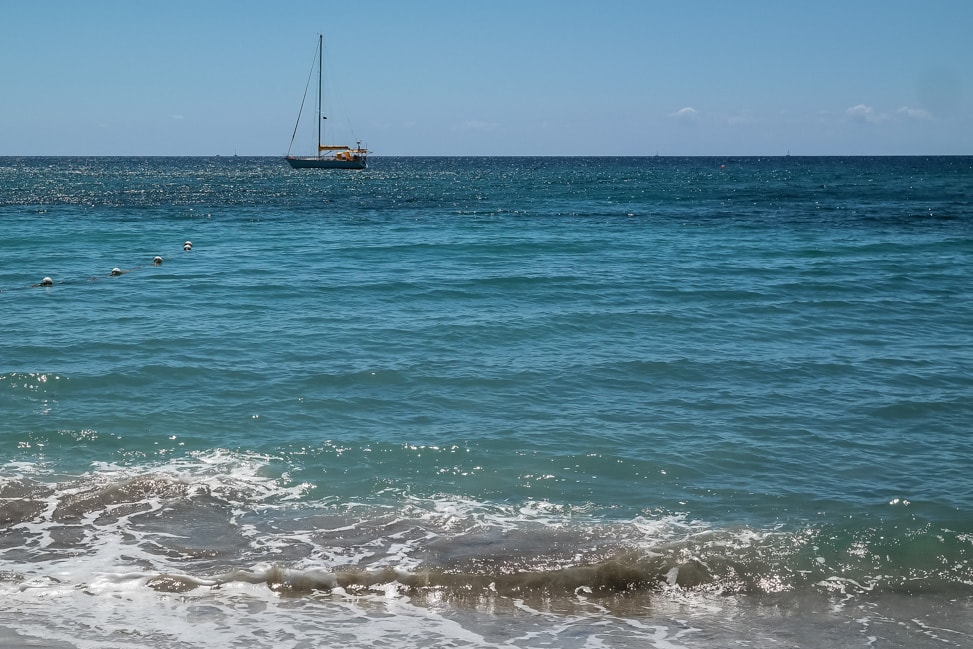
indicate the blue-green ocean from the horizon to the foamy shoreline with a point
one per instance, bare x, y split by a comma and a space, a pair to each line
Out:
486, 402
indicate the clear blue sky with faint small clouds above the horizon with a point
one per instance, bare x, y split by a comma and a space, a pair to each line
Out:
489, 78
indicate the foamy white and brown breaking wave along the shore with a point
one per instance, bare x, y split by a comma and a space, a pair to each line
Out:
220, 518
